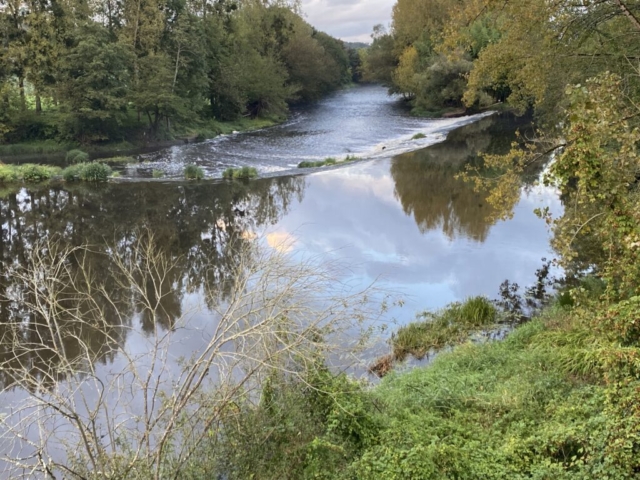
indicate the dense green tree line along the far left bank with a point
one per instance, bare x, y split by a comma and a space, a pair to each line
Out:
114, 70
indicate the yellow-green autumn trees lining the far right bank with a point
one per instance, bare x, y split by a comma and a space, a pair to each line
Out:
471, 54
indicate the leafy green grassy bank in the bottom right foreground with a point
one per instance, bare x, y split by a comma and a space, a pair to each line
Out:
537, 404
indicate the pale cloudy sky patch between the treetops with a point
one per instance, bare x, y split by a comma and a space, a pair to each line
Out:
349, 20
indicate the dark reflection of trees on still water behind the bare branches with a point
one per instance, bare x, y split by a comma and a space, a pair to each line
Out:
198, 227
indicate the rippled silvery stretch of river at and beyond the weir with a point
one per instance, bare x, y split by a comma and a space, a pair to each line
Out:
363, 122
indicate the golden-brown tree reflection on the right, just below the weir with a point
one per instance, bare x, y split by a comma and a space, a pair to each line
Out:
426, 186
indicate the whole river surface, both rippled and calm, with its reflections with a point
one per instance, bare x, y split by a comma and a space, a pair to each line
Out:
397, 218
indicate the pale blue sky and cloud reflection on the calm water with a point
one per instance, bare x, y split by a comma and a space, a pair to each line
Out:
353, 215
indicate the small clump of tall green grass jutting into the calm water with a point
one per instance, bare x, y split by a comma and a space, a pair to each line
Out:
436, 330
